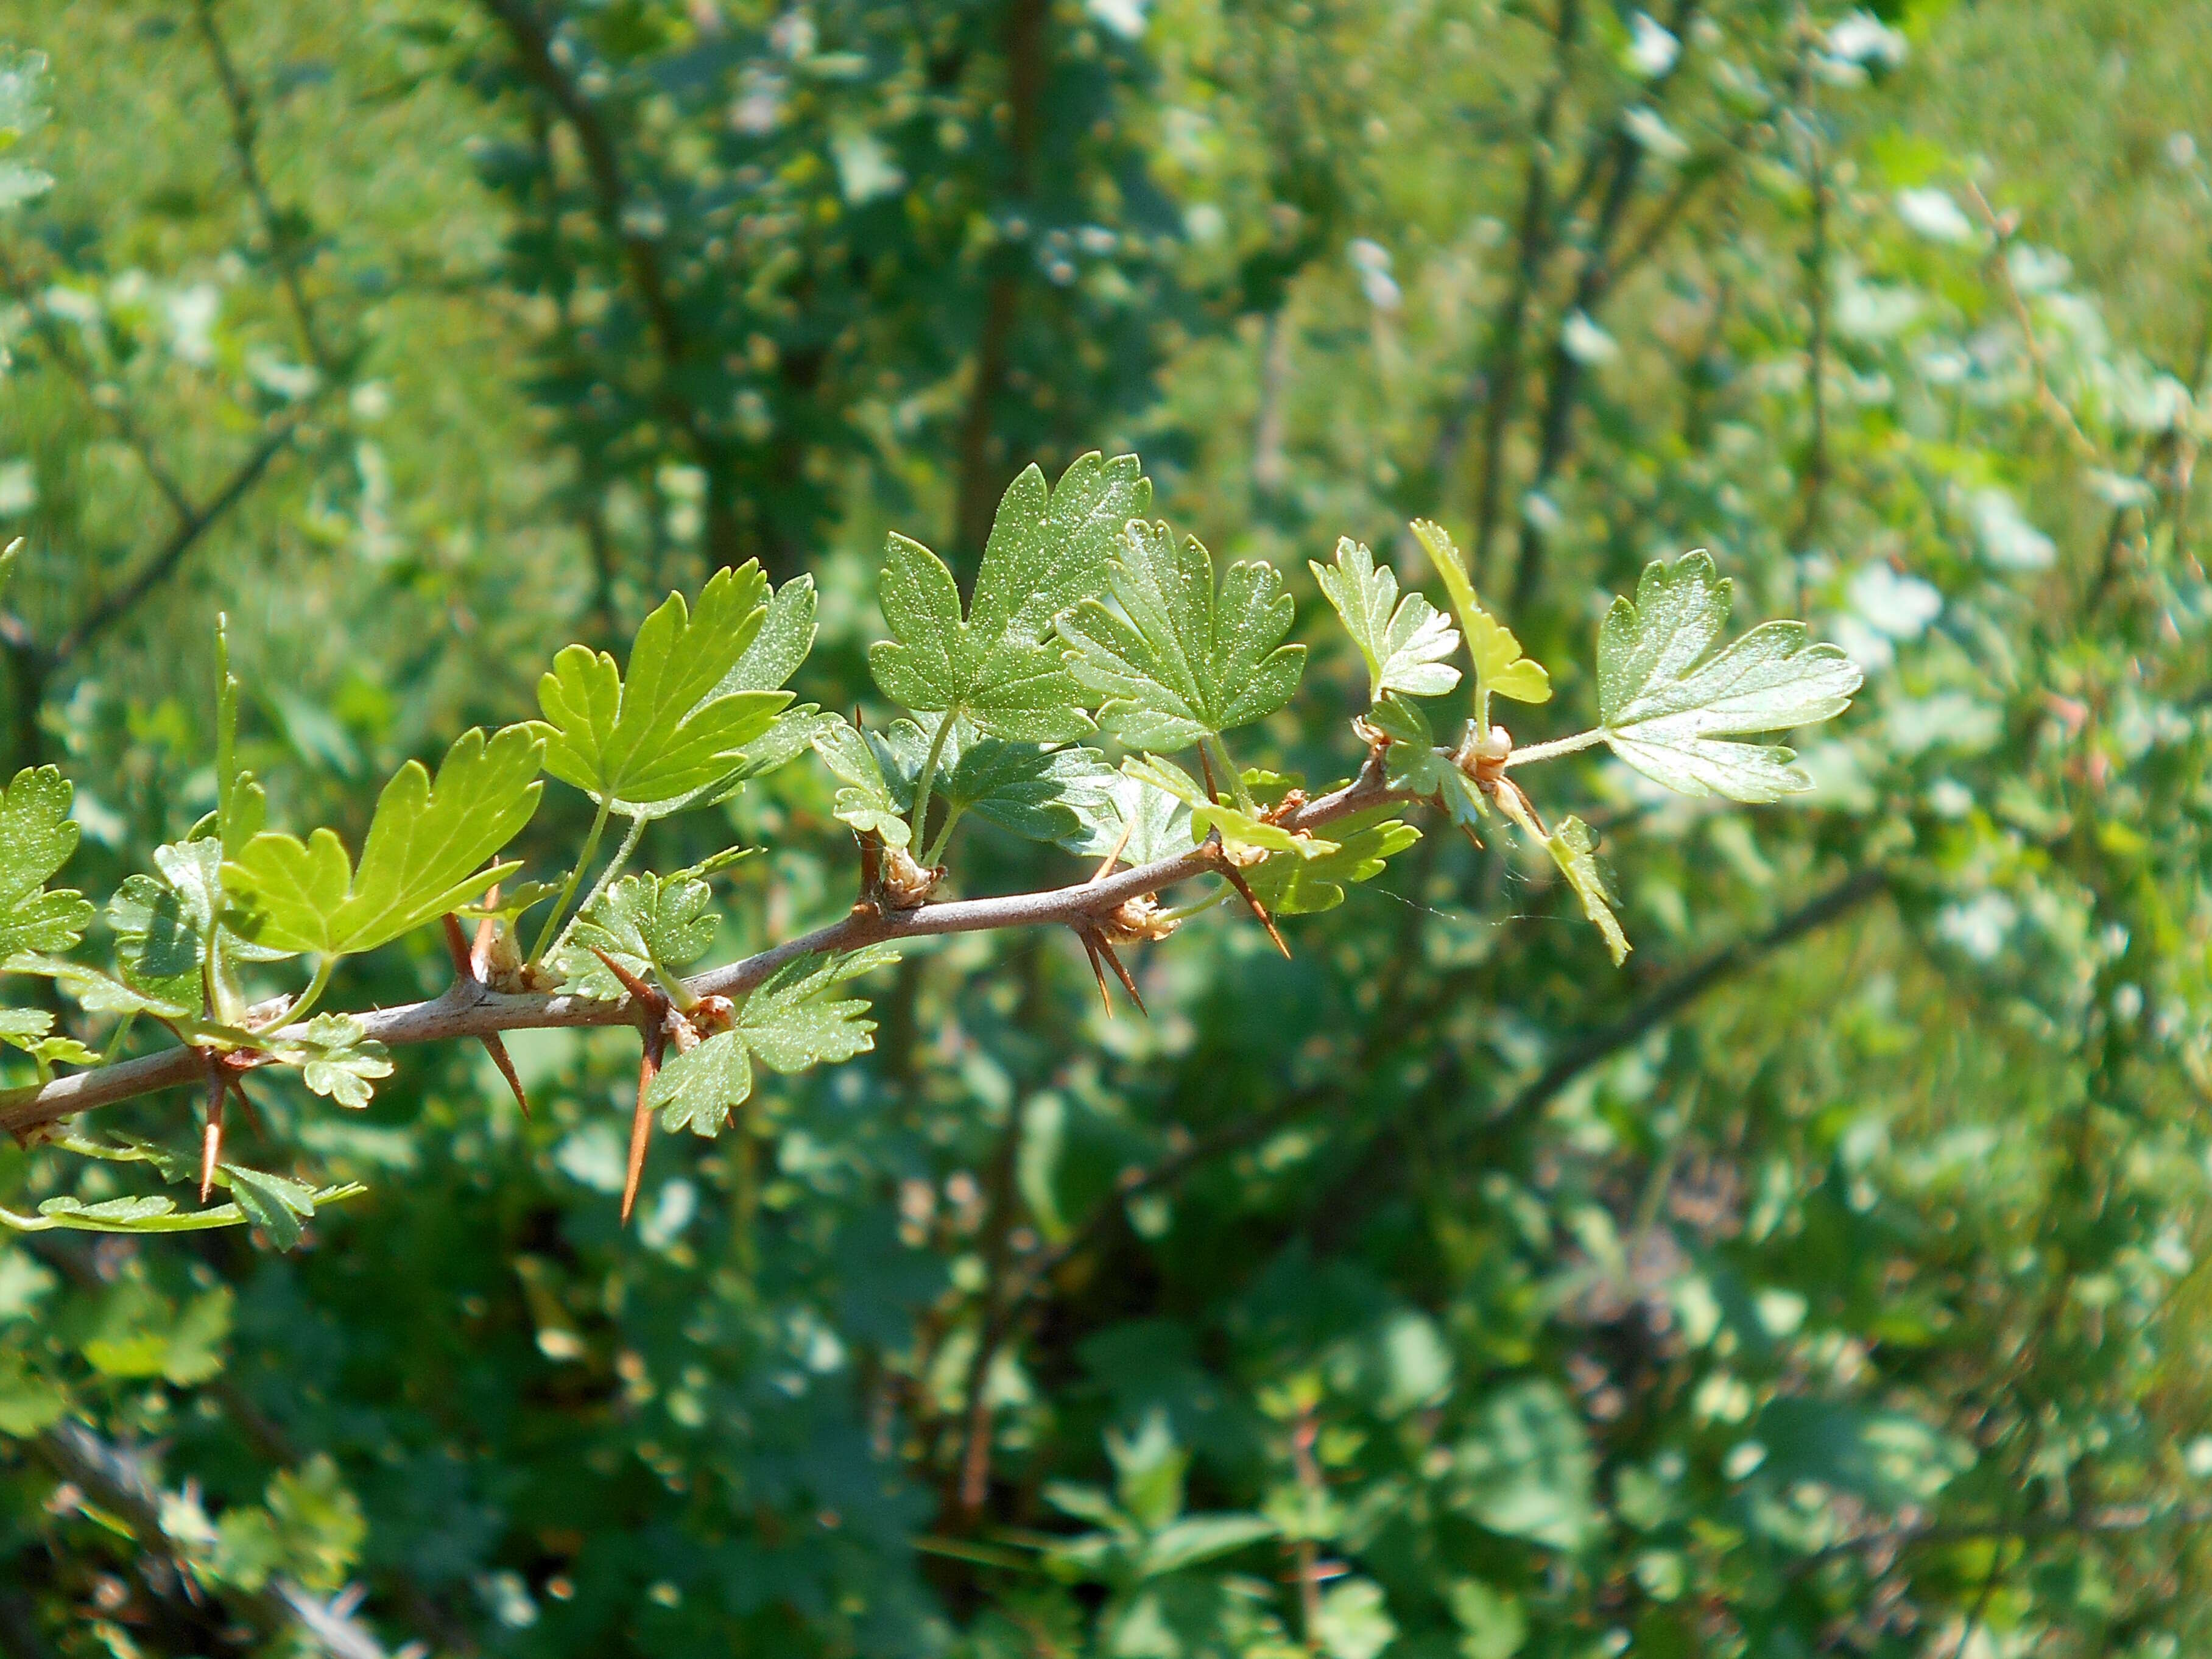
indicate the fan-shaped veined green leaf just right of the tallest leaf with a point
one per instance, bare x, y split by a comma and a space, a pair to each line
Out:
1182, 660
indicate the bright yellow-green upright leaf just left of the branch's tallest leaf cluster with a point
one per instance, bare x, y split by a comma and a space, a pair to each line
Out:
662, 735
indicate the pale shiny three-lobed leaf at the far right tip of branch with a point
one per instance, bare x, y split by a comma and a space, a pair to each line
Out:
1667, 707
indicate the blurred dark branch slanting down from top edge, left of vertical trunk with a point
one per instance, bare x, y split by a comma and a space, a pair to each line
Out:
643, 264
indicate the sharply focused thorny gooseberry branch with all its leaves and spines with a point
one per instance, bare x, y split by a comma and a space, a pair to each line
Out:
1092, 634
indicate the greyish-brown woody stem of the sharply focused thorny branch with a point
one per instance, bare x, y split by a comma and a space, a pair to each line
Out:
470, 1010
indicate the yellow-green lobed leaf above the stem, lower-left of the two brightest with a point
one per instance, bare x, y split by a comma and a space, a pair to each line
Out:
424, 855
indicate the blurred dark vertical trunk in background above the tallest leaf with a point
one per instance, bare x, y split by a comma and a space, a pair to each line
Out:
979, 470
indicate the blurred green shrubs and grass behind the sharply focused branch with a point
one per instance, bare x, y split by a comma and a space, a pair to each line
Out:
1822, 1282
